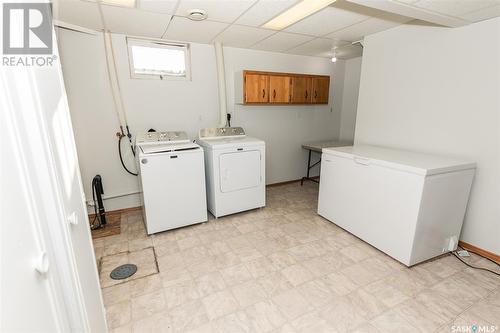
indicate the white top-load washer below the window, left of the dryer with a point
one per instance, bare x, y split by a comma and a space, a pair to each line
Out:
172, 176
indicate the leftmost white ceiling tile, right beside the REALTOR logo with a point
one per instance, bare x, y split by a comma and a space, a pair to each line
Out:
81, 13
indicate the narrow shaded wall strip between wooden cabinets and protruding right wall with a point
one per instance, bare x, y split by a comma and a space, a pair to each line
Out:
350, 98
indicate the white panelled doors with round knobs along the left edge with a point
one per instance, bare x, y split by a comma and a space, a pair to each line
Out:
44, 212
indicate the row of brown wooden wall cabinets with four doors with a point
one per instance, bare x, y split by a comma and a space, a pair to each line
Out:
255, 87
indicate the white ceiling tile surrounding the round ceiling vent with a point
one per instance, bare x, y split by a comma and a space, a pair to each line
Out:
221, 10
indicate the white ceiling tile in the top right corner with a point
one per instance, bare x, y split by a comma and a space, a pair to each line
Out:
455, 7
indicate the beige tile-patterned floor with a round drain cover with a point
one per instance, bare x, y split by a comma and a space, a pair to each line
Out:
284, 269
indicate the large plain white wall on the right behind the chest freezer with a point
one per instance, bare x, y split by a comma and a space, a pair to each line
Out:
437, 90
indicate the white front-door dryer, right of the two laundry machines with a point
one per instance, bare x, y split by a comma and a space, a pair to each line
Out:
235, 170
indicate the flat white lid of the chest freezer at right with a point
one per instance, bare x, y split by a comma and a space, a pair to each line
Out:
417, 163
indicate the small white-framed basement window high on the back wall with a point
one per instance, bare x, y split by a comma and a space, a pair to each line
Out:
158, 60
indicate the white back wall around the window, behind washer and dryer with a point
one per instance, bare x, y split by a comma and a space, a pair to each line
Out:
186, 105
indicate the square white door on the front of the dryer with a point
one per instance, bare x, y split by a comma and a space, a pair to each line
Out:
239, 170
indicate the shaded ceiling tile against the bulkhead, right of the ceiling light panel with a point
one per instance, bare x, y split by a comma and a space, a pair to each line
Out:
359, 30
